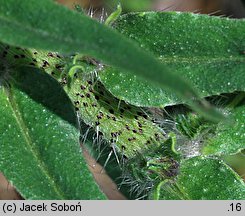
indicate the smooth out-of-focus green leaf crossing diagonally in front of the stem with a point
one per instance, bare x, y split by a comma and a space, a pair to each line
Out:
45, 25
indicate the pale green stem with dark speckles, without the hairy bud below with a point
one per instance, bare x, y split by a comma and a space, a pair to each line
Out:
119, 122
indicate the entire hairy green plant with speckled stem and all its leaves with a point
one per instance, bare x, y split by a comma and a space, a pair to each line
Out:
156, 97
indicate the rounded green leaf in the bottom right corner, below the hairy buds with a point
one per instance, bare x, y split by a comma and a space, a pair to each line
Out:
204, 179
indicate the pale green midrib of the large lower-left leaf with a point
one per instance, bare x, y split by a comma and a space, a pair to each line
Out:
25, 132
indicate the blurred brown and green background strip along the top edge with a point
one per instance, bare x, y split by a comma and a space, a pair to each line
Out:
232, 8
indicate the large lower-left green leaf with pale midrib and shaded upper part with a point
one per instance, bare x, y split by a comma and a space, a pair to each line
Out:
40, 152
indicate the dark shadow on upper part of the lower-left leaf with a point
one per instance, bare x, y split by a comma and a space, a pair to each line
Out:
45, 90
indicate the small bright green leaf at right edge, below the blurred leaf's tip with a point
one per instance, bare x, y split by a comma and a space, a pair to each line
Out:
229, 136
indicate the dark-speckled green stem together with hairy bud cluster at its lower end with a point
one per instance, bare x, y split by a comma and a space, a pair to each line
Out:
130, 131
